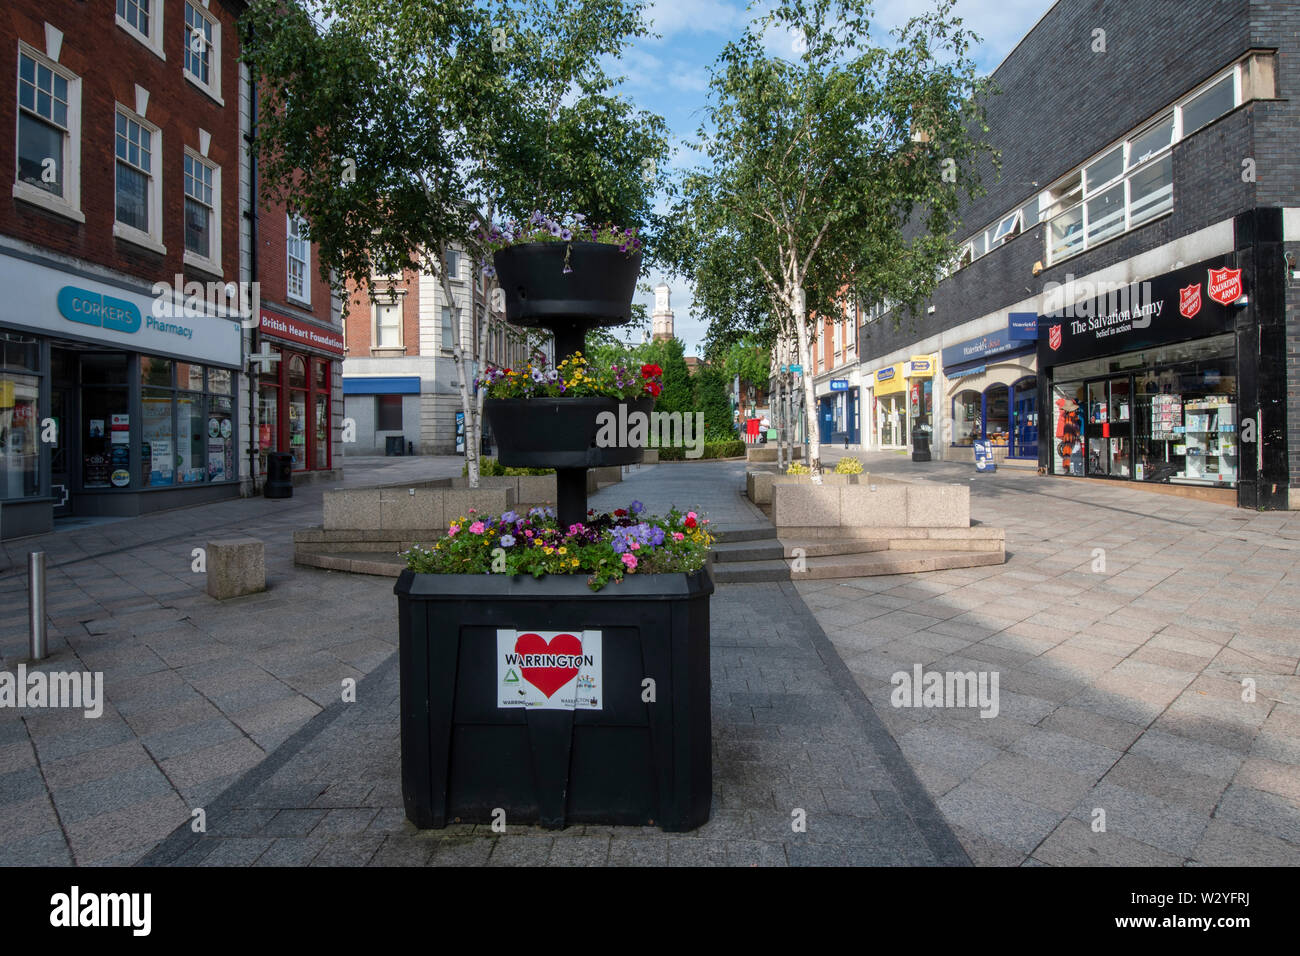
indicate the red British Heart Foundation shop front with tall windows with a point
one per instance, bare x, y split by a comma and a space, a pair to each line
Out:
296, 393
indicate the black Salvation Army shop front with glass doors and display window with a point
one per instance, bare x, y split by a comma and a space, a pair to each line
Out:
1143, 384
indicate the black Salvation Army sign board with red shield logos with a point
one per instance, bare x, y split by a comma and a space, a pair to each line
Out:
1194, 302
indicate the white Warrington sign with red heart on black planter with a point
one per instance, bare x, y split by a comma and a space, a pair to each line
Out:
549, 671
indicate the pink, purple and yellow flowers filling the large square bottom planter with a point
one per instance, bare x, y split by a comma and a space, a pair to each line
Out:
605, 548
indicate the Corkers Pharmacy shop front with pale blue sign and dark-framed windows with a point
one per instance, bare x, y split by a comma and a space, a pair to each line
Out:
114, 401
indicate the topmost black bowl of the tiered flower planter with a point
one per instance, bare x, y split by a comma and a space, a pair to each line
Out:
539, 292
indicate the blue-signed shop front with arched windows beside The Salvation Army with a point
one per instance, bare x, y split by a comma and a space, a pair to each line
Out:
993, 392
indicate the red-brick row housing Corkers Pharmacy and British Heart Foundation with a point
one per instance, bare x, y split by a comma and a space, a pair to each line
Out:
132, 263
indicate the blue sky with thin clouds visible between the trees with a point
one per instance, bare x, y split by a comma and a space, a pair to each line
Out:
670, 75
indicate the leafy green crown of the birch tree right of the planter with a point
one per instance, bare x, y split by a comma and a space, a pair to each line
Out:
814, 179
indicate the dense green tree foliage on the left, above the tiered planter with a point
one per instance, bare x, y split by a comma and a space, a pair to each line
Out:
393, 126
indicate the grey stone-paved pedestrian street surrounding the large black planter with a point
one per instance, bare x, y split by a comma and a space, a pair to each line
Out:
1121, 734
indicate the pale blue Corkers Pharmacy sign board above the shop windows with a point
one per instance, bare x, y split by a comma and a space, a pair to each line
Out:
51, 301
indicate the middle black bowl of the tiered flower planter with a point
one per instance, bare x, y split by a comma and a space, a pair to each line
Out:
569, 432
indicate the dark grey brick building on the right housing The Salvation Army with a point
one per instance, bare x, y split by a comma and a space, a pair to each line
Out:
1098, 326
